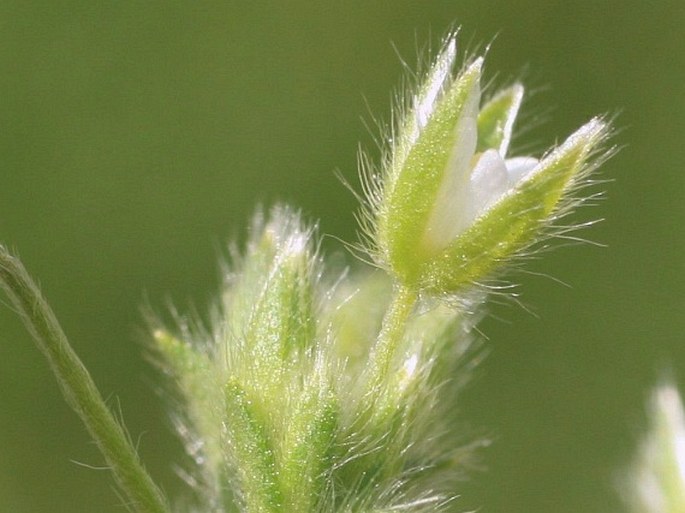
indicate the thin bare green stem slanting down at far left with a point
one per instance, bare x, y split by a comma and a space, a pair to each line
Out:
78, 388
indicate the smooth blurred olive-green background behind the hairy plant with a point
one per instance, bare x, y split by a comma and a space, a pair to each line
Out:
137, 138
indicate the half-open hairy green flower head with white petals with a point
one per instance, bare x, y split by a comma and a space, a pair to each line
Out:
450, 206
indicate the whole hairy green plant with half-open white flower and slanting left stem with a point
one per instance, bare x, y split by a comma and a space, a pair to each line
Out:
318, 390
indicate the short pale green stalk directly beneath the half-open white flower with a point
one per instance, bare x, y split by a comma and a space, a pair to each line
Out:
392, 330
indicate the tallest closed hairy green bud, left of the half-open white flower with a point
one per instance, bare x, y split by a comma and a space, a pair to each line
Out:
270, 307
